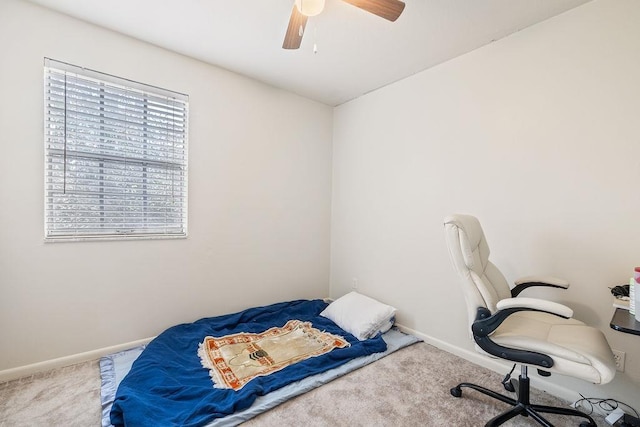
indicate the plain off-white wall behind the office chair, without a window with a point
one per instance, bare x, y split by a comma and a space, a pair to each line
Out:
538, 135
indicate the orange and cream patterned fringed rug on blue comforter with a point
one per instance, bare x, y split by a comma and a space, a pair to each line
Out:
234, 360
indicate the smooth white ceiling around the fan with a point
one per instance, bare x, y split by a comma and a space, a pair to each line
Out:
357, 52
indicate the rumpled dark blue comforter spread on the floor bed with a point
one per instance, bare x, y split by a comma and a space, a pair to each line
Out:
167, 385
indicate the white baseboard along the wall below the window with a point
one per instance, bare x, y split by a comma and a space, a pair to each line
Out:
27, 370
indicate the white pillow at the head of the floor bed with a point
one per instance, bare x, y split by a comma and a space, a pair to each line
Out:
360, 315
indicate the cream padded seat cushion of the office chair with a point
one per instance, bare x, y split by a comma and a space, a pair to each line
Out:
577, 350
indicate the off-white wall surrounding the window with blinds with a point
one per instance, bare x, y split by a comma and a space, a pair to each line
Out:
259, 200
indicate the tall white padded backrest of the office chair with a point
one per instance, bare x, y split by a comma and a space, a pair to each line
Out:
482, 283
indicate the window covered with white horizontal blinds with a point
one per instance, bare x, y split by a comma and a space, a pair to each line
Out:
115, 157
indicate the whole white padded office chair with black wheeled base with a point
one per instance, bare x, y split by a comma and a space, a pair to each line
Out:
527, 331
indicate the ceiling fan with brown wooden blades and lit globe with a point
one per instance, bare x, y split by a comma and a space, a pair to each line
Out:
302, 9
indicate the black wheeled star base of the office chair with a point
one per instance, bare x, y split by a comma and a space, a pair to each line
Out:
521, 405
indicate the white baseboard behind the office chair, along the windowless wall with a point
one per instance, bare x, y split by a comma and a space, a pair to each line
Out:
496, 365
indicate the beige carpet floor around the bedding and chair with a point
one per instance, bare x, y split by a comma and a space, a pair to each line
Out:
407, 388
